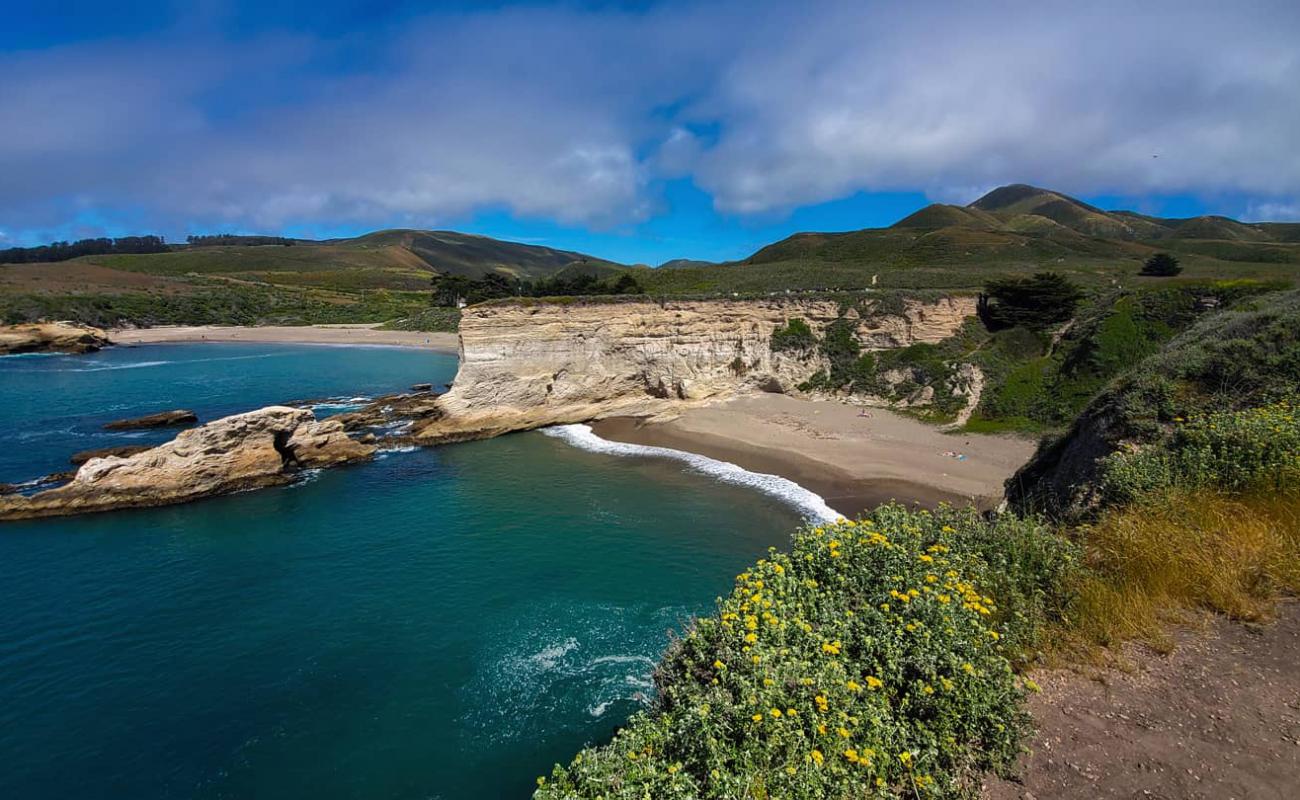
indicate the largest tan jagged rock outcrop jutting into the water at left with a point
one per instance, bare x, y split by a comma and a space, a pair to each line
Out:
245, 452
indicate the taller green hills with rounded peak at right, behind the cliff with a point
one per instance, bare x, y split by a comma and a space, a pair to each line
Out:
1011, 230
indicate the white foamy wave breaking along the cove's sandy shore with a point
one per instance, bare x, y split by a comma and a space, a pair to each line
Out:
809, 504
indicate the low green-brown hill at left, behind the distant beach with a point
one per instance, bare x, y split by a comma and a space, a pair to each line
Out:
370, 279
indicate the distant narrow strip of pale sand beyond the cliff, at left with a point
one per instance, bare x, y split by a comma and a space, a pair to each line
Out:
307, 335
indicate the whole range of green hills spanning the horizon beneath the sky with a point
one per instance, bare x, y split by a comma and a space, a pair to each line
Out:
387, 275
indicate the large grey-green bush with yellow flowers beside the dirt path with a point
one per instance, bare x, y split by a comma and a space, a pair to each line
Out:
868, 663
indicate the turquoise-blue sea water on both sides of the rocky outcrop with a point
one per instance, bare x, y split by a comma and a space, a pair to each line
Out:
440, 624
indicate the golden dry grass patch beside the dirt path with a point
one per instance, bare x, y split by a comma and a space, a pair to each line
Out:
1156, 563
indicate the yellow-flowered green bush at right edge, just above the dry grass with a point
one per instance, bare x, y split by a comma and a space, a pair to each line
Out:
1232, 451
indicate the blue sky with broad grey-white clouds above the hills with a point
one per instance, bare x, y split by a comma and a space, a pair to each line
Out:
639, 132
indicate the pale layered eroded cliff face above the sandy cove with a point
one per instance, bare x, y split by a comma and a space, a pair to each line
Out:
531, 365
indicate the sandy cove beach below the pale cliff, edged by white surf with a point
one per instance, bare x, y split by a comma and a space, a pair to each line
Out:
855, 462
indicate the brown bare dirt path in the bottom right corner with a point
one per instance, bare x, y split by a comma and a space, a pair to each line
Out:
1217, 720
